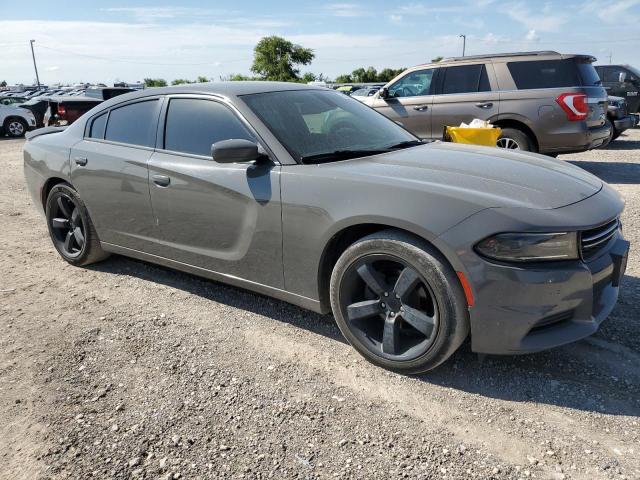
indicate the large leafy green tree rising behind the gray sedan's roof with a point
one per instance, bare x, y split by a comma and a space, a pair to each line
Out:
275, 58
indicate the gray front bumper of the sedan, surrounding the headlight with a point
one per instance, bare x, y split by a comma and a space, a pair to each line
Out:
532, 307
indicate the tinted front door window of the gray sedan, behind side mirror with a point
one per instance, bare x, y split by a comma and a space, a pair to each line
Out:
194, 125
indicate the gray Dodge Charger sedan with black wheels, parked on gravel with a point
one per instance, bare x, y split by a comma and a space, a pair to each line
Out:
309, 196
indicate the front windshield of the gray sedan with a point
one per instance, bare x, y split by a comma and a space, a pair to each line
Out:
322, 125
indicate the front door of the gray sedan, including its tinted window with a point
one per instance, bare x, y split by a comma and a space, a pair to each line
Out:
222, 217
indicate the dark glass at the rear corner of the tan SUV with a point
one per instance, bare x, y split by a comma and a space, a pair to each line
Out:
553, 74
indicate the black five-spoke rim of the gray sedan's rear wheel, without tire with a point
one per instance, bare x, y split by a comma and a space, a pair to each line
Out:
67, 228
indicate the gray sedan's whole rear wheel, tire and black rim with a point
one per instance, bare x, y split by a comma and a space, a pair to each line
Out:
70, 227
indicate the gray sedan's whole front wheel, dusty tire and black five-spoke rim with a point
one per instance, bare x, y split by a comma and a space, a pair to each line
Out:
398, 302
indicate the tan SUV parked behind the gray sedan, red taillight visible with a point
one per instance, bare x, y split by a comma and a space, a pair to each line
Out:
543, 101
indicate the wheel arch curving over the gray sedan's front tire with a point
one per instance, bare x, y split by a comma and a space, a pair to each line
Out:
347, 235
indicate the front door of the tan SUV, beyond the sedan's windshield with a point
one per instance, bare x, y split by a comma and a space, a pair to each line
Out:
409, 102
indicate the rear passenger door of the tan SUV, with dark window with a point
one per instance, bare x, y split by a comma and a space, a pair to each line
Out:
463, 93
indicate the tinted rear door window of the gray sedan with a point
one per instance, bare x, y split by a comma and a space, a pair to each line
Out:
134, 123
